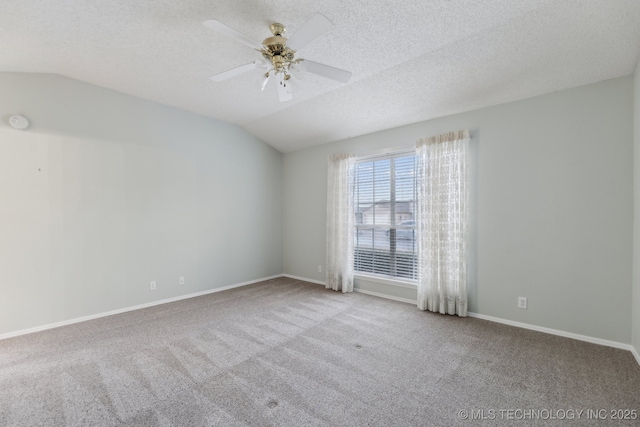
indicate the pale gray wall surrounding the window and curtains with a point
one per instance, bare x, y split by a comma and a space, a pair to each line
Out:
553, 207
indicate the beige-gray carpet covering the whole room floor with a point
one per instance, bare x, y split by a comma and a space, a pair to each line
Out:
285, 352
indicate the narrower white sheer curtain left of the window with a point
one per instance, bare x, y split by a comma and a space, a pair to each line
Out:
340, 218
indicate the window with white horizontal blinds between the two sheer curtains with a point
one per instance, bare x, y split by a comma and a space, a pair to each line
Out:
385, 205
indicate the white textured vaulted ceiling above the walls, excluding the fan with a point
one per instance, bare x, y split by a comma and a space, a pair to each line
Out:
411, 60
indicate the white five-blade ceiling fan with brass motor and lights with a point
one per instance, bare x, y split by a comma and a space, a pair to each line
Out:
278, 55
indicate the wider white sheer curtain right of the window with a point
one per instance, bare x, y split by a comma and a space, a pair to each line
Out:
443, 216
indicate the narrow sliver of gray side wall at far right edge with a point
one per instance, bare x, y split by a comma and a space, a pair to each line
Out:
636, 230
